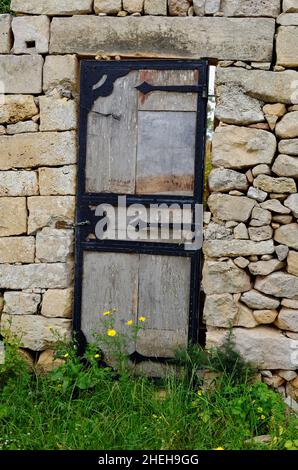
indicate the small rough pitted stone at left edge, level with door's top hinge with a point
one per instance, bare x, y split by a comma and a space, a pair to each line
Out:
15, 108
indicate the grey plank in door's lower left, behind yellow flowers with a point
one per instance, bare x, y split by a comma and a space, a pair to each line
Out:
110, 280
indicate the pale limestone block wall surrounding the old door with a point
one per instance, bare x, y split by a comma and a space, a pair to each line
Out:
251, 251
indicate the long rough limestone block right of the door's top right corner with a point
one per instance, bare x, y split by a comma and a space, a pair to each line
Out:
271, 87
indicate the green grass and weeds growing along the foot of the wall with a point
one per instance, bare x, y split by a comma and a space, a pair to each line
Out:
89, 408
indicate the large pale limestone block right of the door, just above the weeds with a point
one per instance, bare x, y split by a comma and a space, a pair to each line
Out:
263, 346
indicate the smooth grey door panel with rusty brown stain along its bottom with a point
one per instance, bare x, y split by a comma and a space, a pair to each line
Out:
166, 152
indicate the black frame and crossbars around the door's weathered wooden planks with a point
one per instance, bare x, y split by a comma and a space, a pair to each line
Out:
91, 73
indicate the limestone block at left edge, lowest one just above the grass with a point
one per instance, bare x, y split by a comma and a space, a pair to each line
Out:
35, 331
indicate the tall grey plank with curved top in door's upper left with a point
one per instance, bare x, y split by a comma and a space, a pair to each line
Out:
112, 139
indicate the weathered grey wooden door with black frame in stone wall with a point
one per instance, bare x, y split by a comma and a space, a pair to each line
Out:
142, 129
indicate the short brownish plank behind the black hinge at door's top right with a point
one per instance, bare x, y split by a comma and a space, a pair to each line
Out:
164, 101
